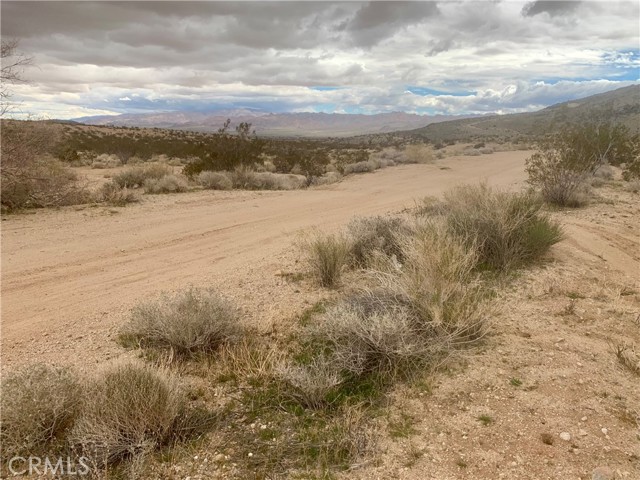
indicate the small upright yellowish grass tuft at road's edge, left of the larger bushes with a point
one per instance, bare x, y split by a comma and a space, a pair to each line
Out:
327, 256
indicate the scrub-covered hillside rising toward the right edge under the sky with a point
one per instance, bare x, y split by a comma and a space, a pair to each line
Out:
621, 106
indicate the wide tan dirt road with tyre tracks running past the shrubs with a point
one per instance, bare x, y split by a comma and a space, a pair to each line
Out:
71, 272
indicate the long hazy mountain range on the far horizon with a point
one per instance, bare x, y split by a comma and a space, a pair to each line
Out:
275, 124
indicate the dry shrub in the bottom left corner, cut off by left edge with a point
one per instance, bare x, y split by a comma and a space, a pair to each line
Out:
39, 405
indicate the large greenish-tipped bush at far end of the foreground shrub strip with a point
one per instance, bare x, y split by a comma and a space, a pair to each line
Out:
509, 229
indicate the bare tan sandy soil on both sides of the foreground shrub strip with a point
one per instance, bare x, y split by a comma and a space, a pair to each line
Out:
70, 276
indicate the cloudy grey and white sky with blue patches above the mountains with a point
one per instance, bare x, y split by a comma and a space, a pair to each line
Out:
442, 57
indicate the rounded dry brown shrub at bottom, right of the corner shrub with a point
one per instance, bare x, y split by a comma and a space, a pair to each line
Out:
128, 411
